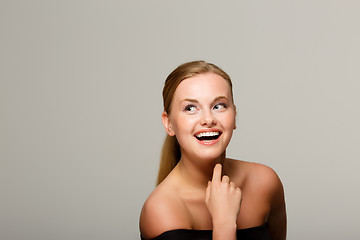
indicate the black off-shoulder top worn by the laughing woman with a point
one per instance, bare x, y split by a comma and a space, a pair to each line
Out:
254, 233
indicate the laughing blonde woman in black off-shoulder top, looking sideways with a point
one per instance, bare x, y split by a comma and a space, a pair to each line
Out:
202, 194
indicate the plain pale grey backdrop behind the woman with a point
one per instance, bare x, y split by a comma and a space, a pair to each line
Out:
80, 101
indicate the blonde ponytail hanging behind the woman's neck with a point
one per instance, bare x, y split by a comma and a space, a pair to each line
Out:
170, 156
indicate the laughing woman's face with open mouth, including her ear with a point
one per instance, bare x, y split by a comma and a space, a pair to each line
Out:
202, 116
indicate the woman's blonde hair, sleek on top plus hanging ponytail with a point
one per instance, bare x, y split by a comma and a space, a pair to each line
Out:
171, 154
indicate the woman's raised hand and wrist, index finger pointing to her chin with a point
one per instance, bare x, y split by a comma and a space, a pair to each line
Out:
223, 202
